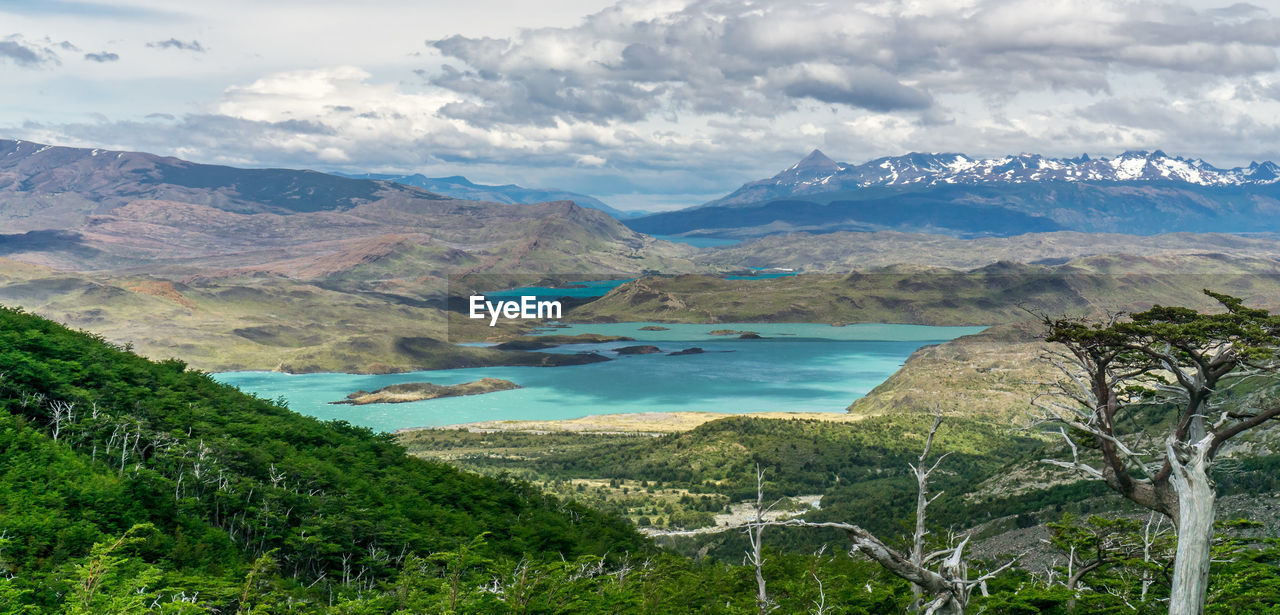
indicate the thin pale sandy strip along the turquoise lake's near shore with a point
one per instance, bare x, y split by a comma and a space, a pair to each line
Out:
636, 423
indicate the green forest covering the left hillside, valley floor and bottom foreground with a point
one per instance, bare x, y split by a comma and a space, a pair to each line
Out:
139, 488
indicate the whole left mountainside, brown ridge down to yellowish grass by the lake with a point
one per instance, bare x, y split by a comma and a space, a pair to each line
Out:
240, 268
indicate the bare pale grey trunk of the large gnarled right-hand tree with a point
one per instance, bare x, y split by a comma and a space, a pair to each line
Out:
1195, 490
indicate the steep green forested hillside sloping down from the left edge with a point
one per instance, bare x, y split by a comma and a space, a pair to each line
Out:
185, 484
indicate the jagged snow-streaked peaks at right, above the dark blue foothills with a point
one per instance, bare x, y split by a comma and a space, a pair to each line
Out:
819, 174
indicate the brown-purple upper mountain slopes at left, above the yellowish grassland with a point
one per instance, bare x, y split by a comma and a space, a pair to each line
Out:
85, 209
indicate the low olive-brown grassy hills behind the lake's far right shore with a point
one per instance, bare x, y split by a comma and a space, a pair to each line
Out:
998, 294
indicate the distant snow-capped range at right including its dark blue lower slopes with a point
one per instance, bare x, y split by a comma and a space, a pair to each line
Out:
1139, 193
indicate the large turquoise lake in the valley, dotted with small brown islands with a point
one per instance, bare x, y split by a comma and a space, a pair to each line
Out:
794, 368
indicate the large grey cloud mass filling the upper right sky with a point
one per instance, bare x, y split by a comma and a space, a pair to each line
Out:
771, 57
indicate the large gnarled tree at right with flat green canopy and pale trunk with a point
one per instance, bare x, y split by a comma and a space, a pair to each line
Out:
1163, 358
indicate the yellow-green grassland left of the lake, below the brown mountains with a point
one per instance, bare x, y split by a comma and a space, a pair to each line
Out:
257, 321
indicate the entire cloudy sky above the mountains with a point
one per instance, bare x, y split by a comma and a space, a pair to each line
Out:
653, 104
